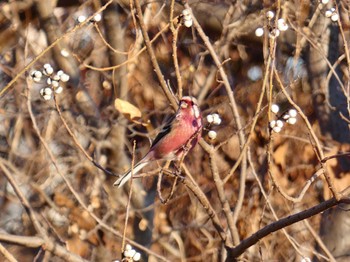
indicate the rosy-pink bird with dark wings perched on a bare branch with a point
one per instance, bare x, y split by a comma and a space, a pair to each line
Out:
177, 137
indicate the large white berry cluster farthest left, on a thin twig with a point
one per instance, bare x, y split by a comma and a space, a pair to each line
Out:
53, 80
